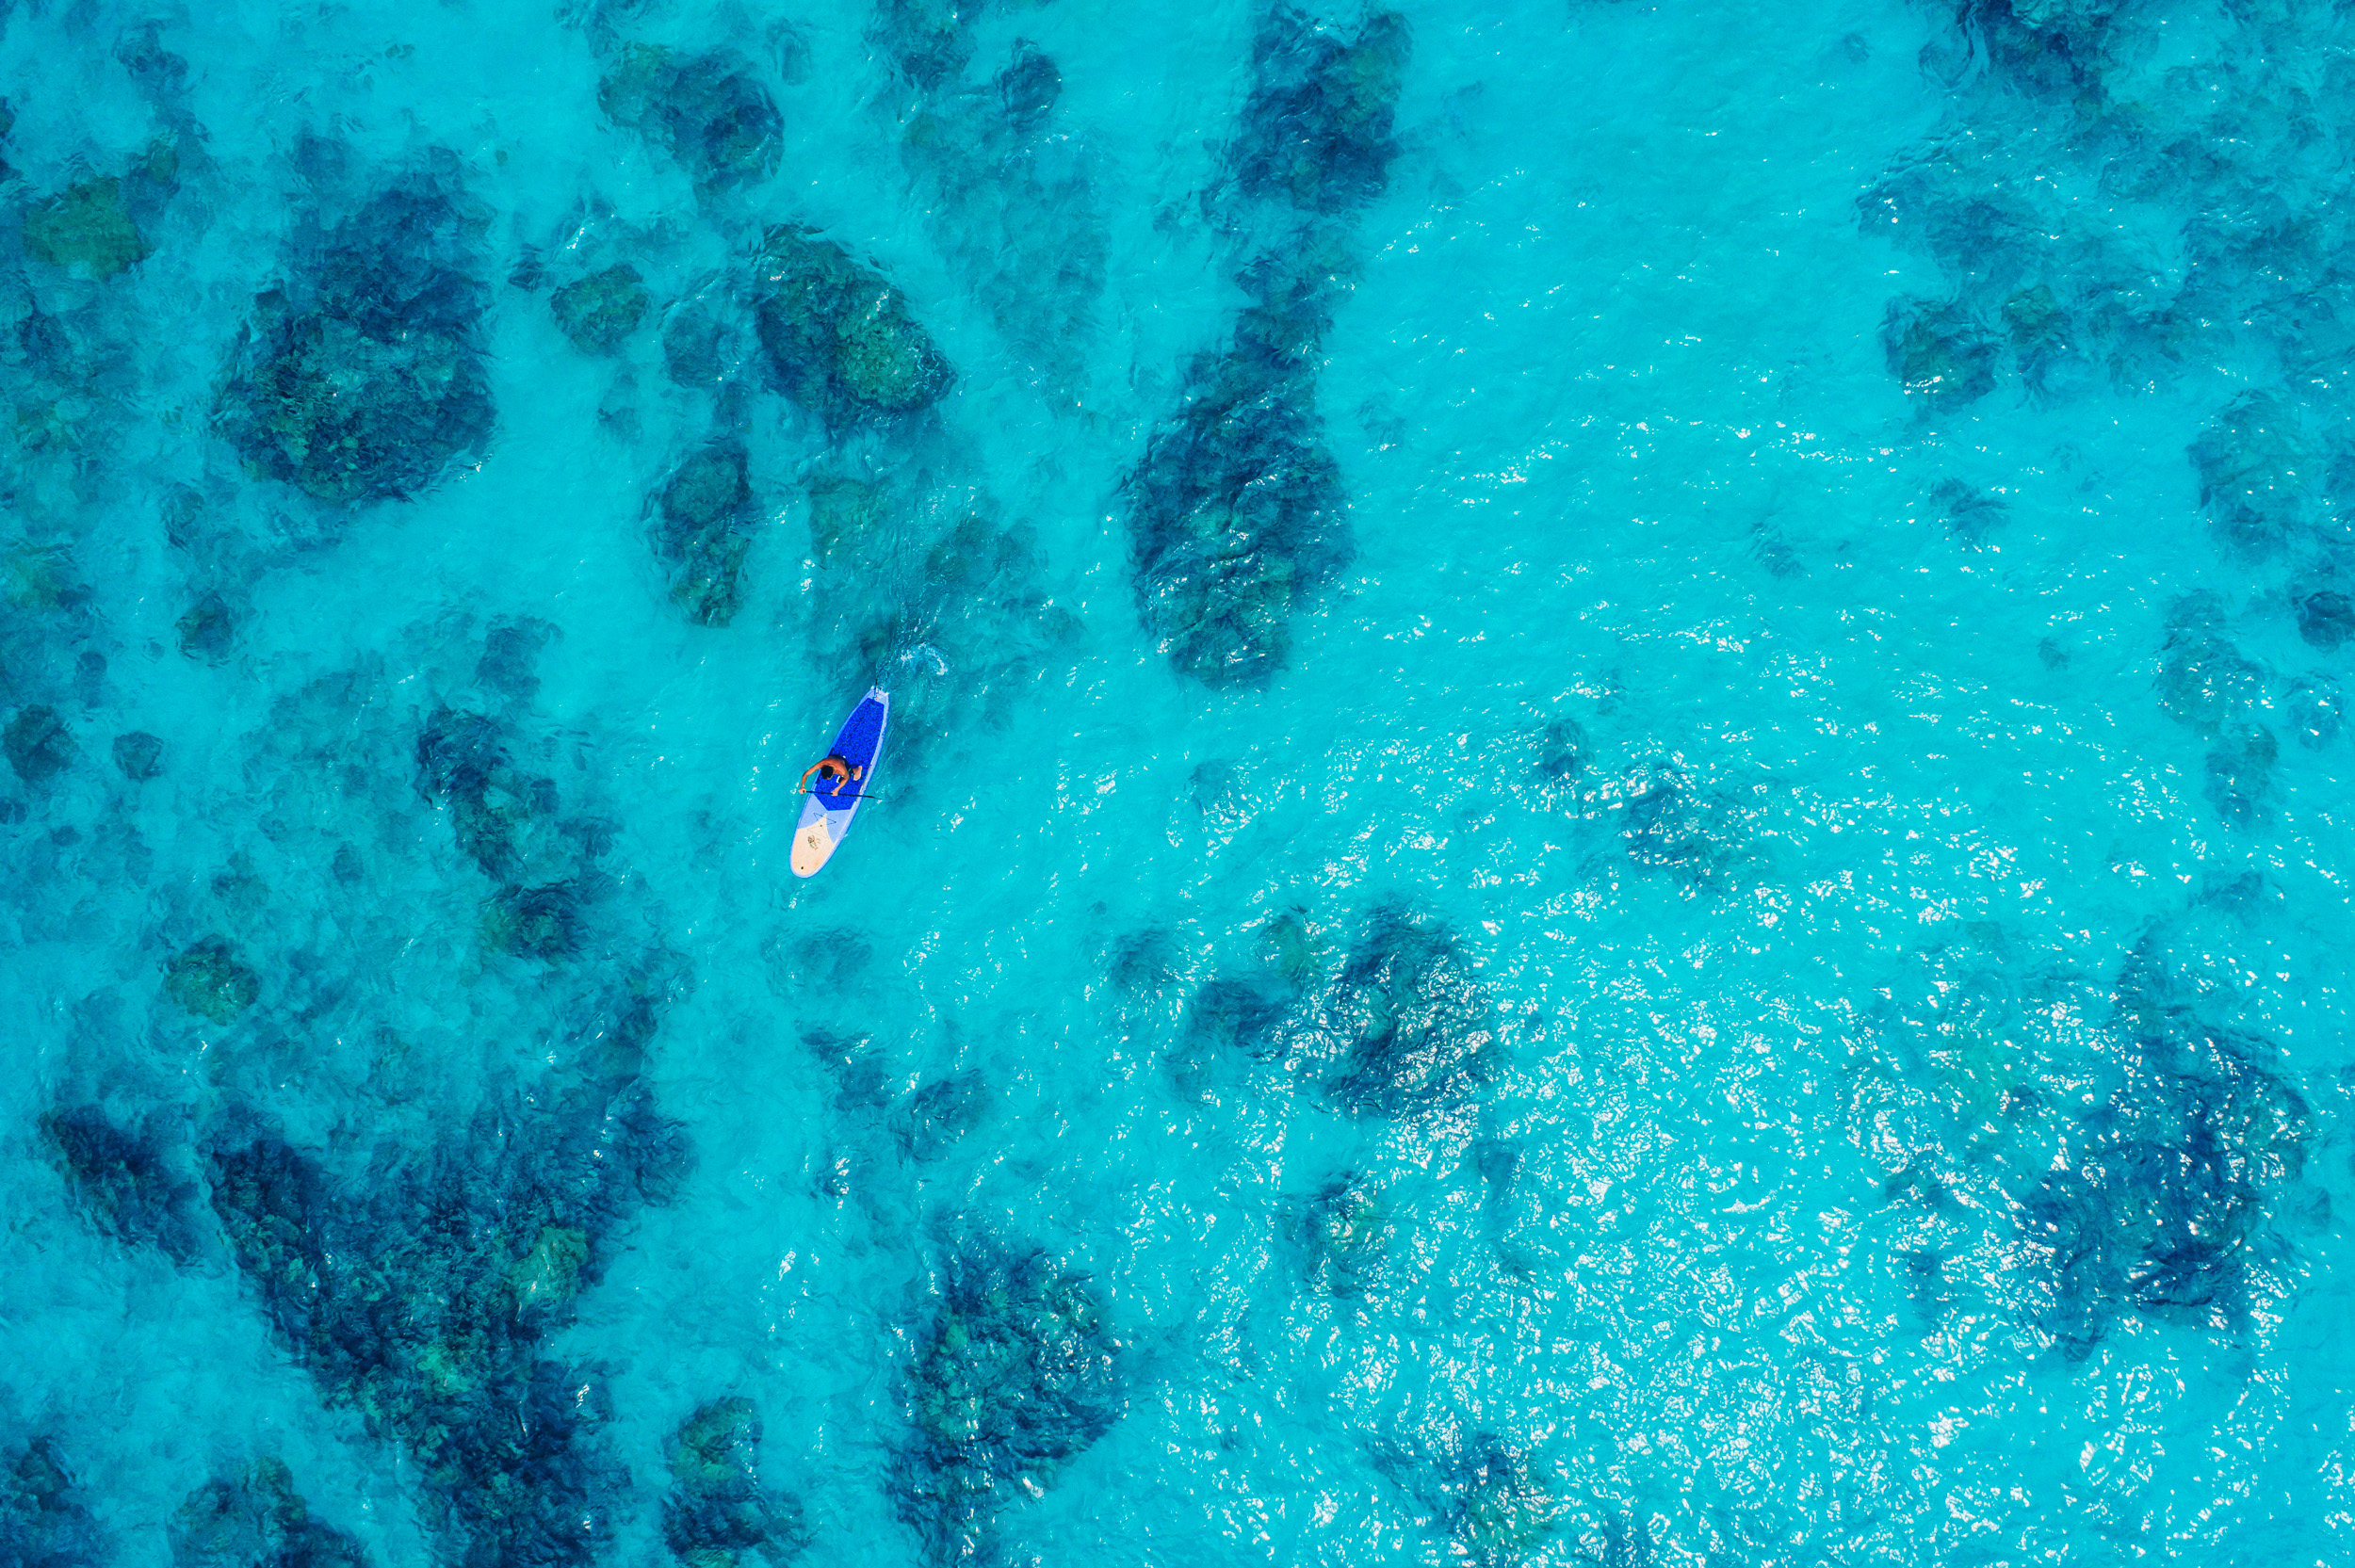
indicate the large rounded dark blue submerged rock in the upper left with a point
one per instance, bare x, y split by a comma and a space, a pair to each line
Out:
364, 380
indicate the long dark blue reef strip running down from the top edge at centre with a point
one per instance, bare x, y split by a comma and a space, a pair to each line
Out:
1235, 512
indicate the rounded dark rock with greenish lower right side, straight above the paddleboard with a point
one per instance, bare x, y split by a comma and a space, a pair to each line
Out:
842, 340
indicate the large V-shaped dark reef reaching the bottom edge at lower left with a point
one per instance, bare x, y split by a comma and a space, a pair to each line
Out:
420, 1298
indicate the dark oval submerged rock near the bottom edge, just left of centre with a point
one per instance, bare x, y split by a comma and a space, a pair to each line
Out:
1011, 1381
